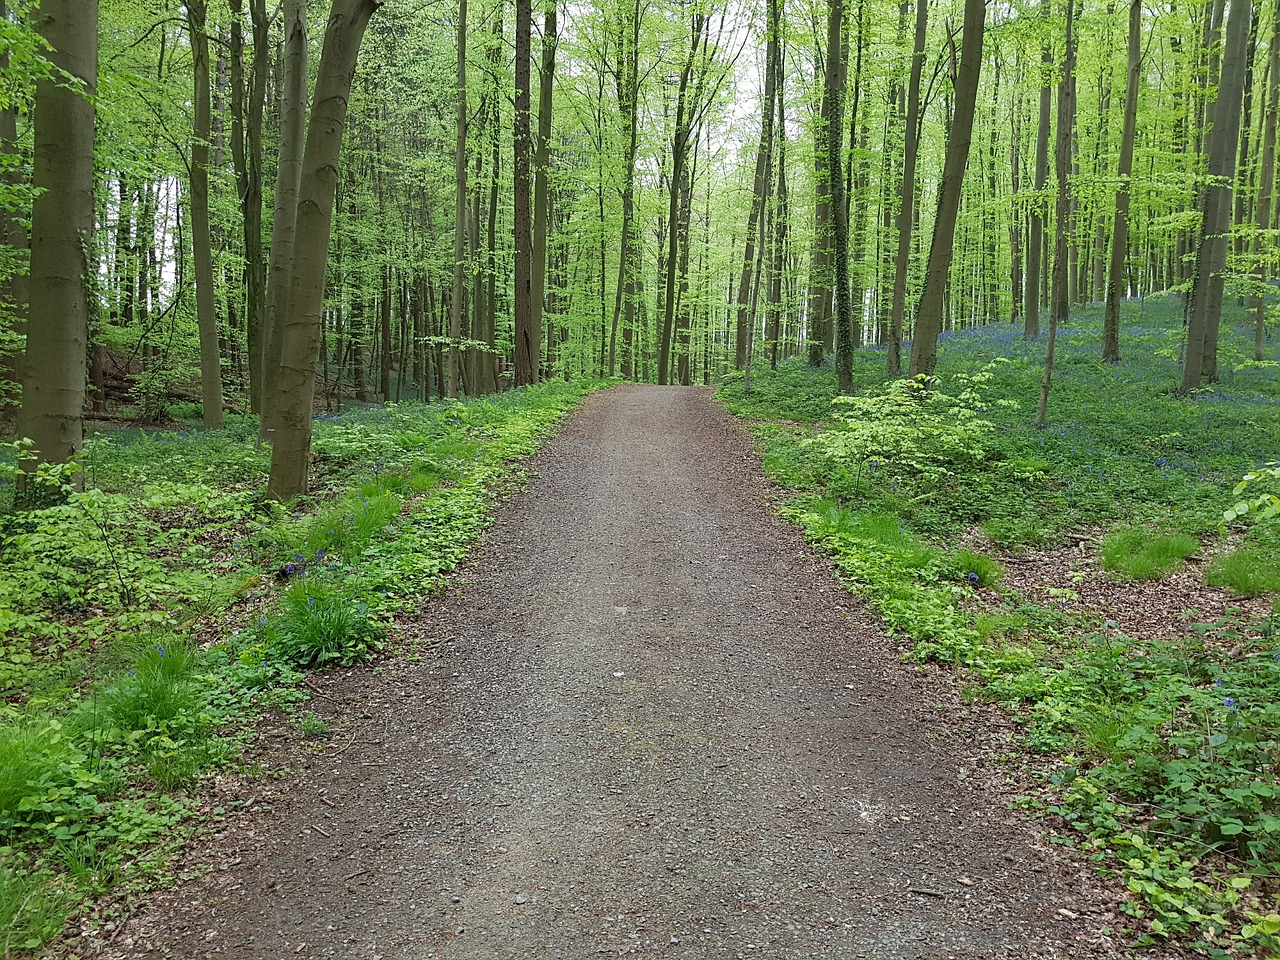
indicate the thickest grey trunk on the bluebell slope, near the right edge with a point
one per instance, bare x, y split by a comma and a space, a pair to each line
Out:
1205, 312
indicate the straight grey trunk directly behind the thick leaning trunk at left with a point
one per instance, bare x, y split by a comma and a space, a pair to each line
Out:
289, 177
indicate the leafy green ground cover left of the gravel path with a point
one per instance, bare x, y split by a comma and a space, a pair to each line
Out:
147, 621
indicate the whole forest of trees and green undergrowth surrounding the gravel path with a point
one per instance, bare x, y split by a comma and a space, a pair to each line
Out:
292, 292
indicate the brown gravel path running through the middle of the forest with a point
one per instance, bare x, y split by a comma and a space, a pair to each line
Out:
653, 725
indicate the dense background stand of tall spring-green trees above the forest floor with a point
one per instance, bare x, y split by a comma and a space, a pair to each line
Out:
630, 218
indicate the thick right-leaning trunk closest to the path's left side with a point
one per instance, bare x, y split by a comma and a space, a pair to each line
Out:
291, 455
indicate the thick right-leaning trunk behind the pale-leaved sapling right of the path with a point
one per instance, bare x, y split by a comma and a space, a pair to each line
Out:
929, 321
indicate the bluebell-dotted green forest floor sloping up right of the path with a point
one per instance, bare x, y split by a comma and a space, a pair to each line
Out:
1063, 579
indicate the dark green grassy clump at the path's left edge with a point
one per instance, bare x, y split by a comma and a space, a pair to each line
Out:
321, 627
